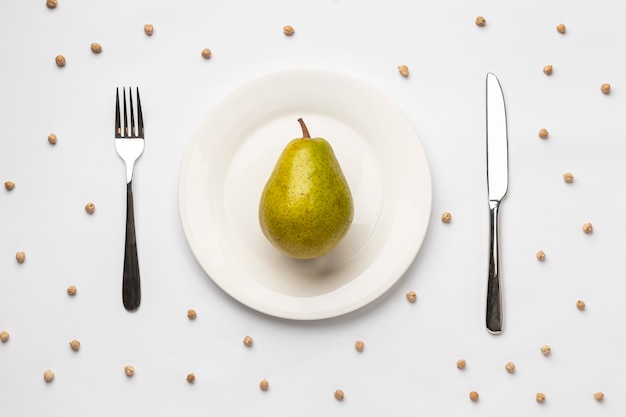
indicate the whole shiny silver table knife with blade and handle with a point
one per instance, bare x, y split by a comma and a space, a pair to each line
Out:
497, 185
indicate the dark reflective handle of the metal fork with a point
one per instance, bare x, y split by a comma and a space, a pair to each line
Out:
131, 288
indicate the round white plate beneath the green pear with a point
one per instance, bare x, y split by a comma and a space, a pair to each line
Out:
233, 153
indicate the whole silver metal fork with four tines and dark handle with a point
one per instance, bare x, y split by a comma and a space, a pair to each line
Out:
129, 145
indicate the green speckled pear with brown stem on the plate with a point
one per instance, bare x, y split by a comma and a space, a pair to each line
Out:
306, 206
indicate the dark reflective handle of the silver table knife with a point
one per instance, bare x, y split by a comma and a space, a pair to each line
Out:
494, 287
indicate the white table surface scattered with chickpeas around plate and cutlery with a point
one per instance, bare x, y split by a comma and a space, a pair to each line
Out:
408, 366
